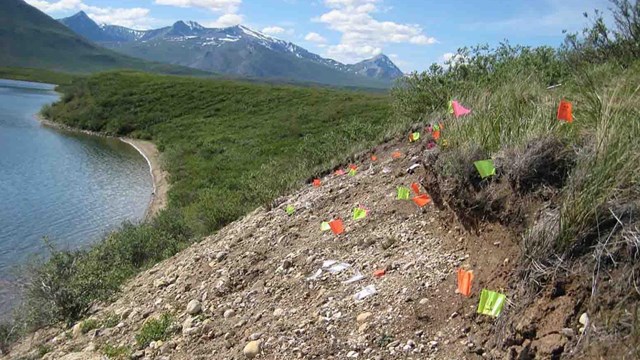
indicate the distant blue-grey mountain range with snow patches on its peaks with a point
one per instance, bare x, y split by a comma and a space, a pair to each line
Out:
235, 50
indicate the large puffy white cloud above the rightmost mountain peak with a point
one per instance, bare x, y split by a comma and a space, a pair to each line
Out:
362, 34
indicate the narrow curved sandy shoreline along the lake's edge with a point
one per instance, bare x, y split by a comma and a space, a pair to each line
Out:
149, 152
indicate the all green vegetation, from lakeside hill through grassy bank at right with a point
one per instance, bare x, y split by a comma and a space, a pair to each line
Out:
231, 146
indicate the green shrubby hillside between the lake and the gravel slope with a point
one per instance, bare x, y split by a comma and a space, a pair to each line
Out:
229, 147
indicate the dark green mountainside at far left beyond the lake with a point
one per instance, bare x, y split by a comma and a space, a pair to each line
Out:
31, 39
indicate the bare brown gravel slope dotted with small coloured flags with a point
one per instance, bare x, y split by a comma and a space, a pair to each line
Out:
251, 281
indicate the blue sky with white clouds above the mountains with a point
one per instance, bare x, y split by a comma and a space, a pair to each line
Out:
413, 33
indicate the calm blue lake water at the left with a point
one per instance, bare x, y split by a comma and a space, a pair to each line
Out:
69, 187
